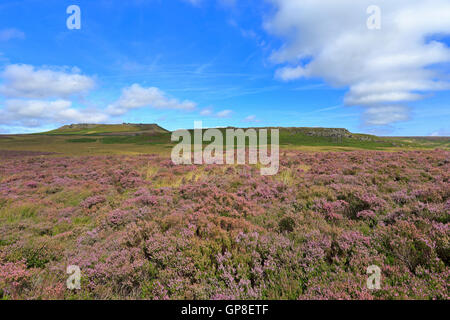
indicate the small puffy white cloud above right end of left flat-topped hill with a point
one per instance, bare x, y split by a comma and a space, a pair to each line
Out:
136, 96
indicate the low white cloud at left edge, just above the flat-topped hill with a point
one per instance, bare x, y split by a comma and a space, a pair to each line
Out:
40, 112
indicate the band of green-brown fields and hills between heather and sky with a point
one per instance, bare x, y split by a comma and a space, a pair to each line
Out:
150, 138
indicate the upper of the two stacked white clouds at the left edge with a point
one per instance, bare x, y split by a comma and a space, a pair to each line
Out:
26, 81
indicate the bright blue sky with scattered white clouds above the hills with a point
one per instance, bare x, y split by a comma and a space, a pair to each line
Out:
239, 63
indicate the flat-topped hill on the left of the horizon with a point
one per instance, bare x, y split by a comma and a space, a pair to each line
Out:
124, 129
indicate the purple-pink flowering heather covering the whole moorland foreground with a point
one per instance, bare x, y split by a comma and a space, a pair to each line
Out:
140, 227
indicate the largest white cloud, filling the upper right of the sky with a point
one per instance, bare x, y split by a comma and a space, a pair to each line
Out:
384, 69
